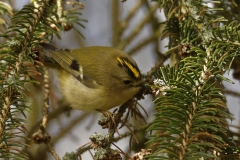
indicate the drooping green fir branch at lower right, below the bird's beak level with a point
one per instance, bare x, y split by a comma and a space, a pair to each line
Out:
186, 116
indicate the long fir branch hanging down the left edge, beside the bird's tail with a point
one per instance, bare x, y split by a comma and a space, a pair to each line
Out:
14, 73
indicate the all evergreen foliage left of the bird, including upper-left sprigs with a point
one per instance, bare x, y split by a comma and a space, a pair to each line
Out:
31, 25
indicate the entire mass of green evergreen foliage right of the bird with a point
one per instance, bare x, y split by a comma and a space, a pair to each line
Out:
191, 120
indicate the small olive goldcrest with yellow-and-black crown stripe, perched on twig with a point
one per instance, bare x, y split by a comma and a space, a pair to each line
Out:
95, 78
